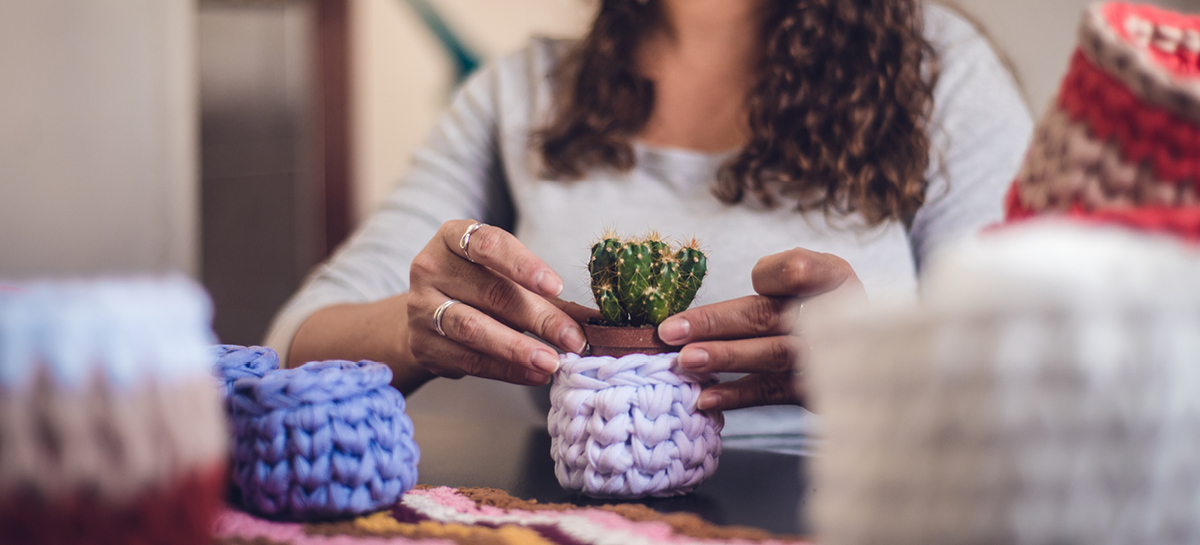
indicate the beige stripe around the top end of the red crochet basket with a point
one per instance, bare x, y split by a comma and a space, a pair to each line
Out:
1132, 64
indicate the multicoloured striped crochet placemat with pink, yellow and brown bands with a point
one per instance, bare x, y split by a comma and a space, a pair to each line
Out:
479, 517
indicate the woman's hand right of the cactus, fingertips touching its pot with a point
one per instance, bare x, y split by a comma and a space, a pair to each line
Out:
757, 334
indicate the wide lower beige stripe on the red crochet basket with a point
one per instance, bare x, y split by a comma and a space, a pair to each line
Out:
1067, 164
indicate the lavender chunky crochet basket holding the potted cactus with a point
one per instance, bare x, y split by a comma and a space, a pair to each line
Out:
628, 428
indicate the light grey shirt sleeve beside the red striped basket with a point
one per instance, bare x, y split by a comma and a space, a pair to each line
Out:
981, 130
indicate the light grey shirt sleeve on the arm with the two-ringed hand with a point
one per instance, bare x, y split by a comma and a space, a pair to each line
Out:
457, 175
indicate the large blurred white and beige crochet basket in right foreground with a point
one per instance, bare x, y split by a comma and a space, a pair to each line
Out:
1048, 393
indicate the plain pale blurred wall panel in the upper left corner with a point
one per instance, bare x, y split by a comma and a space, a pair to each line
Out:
98, 137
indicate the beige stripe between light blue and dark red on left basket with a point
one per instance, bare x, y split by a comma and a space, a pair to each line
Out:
57, 441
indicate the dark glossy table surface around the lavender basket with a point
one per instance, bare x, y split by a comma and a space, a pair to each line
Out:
764, 490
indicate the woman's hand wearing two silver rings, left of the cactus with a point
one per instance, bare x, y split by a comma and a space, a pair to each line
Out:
505, 292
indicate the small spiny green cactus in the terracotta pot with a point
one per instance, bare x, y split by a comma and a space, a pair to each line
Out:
644, 282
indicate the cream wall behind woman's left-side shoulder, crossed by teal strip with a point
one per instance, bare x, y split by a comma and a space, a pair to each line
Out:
403, 79
